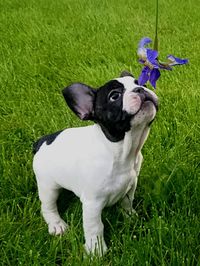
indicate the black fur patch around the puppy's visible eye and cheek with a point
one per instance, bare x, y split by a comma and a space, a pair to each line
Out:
108, 111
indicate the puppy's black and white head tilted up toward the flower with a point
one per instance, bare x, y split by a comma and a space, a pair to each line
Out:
117, 106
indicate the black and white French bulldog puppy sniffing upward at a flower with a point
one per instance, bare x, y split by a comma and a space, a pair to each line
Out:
99, 163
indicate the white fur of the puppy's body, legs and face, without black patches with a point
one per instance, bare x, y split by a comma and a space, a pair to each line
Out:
98, 171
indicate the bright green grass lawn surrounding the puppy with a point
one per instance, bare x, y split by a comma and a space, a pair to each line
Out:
44, 46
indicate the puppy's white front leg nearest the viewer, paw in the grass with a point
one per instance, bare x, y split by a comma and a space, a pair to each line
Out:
93, 228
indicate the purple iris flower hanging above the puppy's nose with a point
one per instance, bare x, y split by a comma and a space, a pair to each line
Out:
149, 58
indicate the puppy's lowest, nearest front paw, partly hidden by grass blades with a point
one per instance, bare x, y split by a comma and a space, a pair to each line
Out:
96, 248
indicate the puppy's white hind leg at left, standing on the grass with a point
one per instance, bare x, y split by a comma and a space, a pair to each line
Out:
48, 196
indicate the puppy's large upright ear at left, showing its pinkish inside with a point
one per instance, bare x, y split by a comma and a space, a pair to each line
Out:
80, 98
